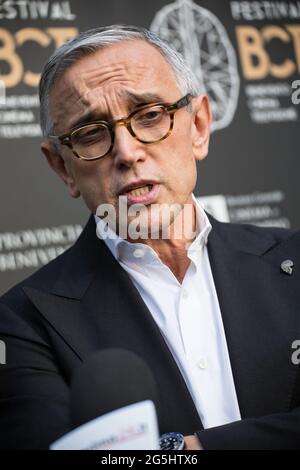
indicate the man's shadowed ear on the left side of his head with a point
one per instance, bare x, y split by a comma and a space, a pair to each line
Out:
57, 162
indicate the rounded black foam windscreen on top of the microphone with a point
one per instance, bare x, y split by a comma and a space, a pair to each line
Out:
109, 380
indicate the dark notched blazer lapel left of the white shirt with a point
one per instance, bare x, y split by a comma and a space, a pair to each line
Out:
94, 305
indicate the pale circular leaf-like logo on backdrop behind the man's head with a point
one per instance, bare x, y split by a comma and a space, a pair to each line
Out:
203, 41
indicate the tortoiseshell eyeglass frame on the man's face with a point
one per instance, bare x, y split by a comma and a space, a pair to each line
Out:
65, 139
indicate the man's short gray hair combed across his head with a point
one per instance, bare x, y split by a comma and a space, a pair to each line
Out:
89, 42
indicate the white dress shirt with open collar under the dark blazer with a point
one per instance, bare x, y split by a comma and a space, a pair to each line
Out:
188, 316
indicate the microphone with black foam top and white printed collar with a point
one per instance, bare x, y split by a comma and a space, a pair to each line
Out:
112, 404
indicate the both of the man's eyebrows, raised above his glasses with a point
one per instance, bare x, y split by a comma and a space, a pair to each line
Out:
132, 99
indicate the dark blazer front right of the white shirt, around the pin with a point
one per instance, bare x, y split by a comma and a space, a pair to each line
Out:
260, 310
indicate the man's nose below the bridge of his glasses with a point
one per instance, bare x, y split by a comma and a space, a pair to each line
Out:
127, 150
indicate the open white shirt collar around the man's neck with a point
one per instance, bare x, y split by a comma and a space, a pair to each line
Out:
123, 250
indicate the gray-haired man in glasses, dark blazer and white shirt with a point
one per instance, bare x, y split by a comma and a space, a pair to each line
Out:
213, 312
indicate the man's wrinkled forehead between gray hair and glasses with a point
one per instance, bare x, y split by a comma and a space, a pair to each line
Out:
105, 85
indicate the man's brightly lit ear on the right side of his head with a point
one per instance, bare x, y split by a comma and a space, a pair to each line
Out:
202, 118
